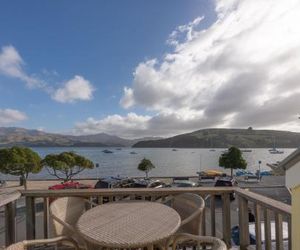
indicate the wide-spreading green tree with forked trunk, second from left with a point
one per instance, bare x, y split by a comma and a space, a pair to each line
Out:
66, 165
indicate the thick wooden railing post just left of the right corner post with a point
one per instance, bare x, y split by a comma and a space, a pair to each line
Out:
226, 219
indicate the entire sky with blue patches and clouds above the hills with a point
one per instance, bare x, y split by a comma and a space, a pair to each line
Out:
149, 68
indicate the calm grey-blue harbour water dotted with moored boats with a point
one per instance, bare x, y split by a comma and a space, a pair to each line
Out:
167, 162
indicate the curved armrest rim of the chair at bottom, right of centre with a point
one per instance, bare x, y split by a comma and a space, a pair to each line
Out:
214, 242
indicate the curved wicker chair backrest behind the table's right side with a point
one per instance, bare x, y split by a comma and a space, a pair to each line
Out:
190, 205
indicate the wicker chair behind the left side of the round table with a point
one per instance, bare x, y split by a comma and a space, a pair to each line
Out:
64, 213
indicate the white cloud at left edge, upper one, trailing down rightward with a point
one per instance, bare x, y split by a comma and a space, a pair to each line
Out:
11, 65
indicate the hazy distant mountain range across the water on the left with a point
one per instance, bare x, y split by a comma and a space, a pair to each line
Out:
10, 136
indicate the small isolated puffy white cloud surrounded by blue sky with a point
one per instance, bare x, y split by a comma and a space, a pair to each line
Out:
73, 90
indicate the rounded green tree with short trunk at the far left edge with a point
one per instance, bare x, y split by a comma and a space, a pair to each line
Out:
19, 161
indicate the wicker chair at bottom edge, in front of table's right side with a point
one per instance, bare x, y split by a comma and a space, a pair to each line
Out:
198, 242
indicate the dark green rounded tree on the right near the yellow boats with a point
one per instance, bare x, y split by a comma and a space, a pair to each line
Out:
232, 159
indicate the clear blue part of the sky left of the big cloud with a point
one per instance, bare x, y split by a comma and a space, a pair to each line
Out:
103, 41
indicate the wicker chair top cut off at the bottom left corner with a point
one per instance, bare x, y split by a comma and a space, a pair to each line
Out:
27, 244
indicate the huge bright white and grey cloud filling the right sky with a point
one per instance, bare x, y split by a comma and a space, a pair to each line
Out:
241, 71
